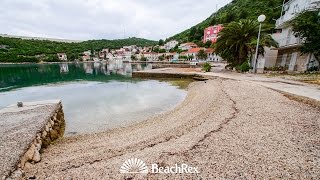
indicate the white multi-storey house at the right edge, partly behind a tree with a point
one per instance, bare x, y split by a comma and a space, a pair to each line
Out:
288, 51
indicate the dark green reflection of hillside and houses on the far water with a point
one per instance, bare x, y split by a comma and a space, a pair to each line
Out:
24, 75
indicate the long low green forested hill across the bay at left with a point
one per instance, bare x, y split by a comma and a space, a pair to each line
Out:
21, 50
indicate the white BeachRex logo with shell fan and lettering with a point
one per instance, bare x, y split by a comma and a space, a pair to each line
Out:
137, 166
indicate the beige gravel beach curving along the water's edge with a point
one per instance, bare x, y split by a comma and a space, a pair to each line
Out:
228, 129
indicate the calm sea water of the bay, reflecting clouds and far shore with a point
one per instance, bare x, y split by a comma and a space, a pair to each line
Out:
95, 96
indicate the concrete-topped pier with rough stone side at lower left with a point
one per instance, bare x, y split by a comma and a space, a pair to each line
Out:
25, 131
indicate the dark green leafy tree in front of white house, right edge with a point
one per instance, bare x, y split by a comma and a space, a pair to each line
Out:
307, 27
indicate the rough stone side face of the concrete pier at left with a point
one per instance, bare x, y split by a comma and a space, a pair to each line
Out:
53, 129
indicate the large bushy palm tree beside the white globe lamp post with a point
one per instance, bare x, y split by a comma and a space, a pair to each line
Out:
236, 41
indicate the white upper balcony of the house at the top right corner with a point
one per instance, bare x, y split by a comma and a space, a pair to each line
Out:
294, 7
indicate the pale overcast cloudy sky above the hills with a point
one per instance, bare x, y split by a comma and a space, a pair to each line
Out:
103, 19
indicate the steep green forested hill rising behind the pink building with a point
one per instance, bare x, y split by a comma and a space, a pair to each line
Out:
234, 11
